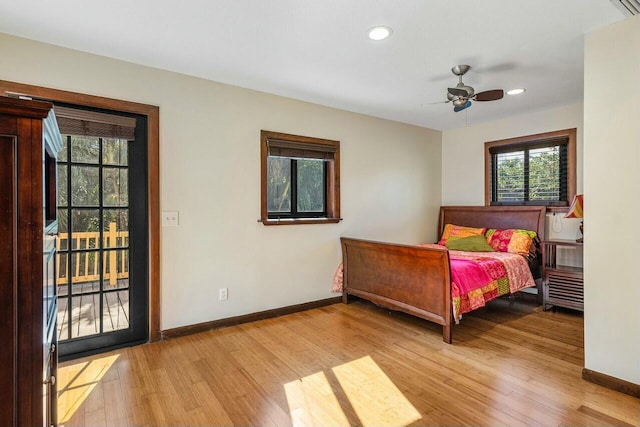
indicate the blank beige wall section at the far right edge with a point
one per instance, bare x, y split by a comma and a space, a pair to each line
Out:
612, 190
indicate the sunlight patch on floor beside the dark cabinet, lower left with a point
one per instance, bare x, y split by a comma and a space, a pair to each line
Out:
77, 381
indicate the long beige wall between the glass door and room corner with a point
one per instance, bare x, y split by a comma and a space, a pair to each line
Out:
209, 154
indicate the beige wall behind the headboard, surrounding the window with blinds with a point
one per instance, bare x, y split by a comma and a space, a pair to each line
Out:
463, 159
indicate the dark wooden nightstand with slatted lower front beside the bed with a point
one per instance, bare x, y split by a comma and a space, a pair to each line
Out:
562, 285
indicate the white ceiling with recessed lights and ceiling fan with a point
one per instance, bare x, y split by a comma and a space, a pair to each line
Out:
318, 51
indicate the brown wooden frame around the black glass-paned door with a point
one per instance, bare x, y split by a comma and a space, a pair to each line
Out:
153, 158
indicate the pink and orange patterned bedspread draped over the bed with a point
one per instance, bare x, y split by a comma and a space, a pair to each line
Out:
476, 278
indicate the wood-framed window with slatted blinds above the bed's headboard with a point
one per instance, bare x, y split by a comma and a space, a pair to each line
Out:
531, 170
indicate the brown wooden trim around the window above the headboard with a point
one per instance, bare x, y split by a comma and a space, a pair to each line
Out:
568, 135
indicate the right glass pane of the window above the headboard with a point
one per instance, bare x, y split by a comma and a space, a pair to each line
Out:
544, 174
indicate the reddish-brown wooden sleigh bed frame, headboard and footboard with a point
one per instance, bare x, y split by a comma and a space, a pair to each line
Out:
416, 280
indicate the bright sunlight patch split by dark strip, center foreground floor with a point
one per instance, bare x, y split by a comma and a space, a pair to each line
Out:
370, 396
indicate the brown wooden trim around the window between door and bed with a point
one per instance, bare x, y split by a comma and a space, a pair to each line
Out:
332, 177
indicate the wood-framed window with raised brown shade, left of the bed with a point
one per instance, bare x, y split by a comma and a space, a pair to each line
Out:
300, 179
